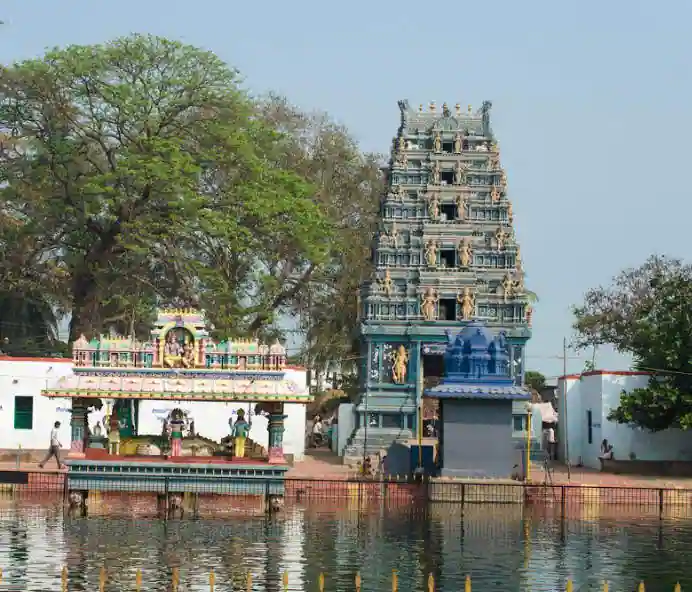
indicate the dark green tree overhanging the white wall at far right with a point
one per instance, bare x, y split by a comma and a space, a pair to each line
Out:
646, 313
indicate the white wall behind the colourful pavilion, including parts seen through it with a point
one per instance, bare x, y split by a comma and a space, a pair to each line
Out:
28, 378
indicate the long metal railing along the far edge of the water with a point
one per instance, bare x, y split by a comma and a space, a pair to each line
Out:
657, 500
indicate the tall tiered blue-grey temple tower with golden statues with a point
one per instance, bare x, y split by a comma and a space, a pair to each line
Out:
445, 254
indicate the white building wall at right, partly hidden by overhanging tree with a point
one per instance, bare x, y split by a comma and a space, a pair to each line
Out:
600, 393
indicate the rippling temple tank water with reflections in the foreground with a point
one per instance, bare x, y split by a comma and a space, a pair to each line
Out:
503, 548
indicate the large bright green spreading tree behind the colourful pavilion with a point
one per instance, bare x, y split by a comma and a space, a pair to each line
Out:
144, 173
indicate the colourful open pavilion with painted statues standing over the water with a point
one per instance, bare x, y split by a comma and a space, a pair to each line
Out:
116, 378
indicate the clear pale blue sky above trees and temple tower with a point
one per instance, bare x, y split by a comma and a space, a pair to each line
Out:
591, 104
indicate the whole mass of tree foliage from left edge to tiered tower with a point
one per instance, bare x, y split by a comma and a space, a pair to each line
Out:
140, 173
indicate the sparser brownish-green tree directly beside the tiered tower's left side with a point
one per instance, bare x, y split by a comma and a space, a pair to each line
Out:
348, 185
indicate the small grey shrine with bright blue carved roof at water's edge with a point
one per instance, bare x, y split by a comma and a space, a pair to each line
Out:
477, 398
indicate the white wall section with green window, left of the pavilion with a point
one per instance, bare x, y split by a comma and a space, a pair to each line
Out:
26, 379
